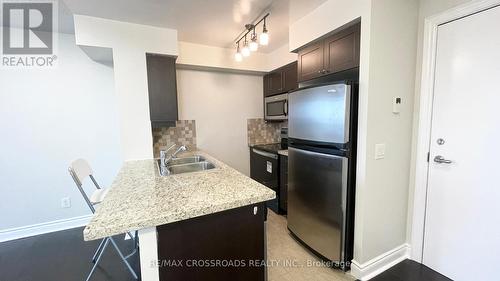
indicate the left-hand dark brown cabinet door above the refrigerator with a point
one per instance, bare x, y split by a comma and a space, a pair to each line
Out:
310, 62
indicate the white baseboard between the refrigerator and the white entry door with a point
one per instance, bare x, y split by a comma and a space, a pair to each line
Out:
379, 264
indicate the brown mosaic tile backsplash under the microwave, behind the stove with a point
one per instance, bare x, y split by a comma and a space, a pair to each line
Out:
260, 132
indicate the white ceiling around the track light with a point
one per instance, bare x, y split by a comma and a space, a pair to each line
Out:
208, 22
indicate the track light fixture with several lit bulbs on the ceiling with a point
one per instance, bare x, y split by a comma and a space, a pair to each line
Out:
253, 45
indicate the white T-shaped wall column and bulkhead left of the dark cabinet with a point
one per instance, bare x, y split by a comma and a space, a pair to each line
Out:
130, 43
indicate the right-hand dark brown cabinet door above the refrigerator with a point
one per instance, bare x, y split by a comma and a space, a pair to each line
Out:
342, 50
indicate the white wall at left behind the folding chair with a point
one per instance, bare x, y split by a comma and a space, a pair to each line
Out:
48, 118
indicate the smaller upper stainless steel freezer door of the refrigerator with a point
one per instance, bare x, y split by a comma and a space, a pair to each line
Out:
320, 114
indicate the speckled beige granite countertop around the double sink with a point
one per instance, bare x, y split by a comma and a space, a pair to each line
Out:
140, 198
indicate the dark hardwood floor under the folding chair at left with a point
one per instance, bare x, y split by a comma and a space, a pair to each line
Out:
63, 256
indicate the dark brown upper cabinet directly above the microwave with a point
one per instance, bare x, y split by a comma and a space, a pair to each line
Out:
281, 80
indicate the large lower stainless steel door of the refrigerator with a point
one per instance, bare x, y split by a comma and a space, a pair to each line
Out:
317, 188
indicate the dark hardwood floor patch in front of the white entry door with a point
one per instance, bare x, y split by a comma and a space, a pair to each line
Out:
409, 270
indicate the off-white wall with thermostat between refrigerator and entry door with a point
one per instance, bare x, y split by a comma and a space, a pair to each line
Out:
392, 69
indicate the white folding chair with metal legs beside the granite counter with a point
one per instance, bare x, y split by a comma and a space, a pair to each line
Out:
79, 170
